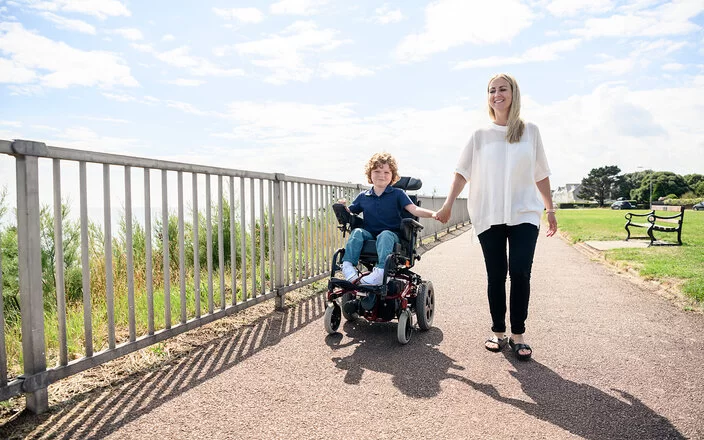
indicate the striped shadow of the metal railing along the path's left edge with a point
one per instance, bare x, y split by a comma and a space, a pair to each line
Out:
97, 413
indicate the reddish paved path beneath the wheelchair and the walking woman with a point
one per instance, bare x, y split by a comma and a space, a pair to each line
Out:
611, 362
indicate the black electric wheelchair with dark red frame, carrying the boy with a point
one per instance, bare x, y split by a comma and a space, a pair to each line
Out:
402, 294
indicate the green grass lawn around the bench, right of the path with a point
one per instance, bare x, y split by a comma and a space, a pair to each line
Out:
684, 263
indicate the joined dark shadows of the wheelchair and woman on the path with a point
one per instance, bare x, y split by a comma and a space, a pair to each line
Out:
418, 368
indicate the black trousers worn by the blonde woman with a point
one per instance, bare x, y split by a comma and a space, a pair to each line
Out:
521, 248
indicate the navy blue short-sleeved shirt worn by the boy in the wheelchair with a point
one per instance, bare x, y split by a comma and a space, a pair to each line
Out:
381, 213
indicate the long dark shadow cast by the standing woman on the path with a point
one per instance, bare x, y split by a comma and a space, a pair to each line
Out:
580, 408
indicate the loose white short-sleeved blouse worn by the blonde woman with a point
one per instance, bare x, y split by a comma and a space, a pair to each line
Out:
502, 177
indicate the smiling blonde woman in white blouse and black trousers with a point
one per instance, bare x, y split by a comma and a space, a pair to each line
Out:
506, 167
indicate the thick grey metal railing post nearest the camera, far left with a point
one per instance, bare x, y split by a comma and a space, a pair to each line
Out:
30, 267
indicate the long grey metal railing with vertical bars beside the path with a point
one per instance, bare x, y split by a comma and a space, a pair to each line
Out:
265, 235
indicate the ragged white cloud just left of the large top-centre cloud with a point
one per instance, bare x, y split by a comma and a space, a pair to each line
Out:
284, 54
